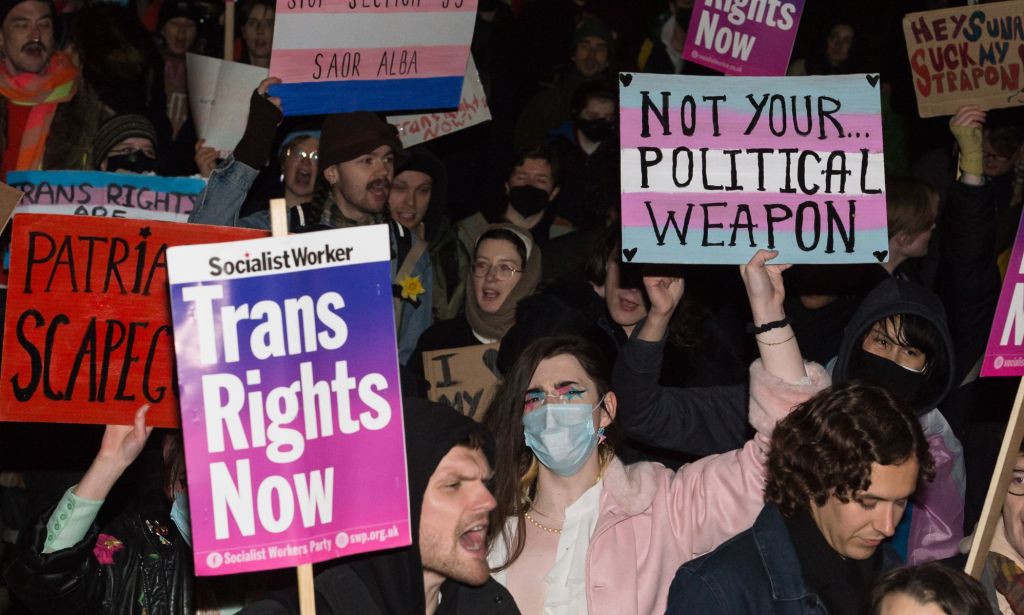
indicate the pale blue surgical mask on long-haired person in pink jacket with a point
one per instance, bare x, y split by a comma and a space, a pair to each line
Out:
563, 435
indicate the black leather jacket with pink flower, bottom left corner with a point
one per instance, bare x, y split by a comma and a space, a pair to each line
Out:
153, 574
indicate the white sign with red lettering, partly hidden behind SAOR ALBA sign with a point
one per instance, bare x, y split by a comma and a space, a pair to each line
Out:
418, 128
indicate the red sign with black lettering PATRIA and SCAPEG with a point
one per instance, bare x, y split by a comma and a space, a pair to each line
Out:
88, 334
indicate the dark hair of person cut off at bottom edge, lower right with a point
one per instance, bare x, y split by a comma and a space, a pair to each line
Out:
953, 591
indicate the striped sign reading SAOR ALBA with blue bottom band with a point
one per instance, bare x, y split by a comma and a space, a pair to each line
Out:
344, 56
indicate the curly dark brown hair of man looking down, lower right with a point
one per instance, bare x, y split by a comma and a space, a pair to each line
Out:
828, 445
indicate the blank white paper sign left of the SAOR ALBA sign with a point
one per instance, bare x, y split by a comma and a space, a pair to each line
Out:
220, 94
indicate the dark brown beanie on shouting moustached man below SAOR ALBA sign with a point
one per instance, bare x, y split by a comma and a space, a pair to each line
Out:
347, 137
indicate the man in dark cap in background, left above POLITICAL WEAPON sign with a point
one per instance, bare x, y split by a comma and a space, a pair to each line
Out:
592, 47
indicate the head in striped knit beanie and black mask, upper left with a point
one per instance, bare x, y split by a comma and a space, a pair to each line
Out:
125, 144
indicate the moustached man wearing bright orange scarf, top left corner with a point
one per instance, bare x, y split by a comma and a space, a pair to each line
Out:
49, 116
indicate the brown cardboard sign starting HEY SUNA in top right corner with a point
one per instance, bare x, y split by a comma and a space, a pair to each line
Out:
967, 56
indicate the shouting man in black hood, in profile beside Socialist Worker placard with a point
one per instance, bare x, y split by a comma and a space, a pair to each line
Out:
450, 459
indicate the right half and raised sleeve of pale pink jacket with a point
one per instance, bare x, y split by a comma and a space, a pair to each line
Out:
653, 520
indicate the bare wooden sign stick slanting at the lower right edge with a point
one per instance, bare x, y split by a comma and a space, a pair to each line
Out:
998, 489
